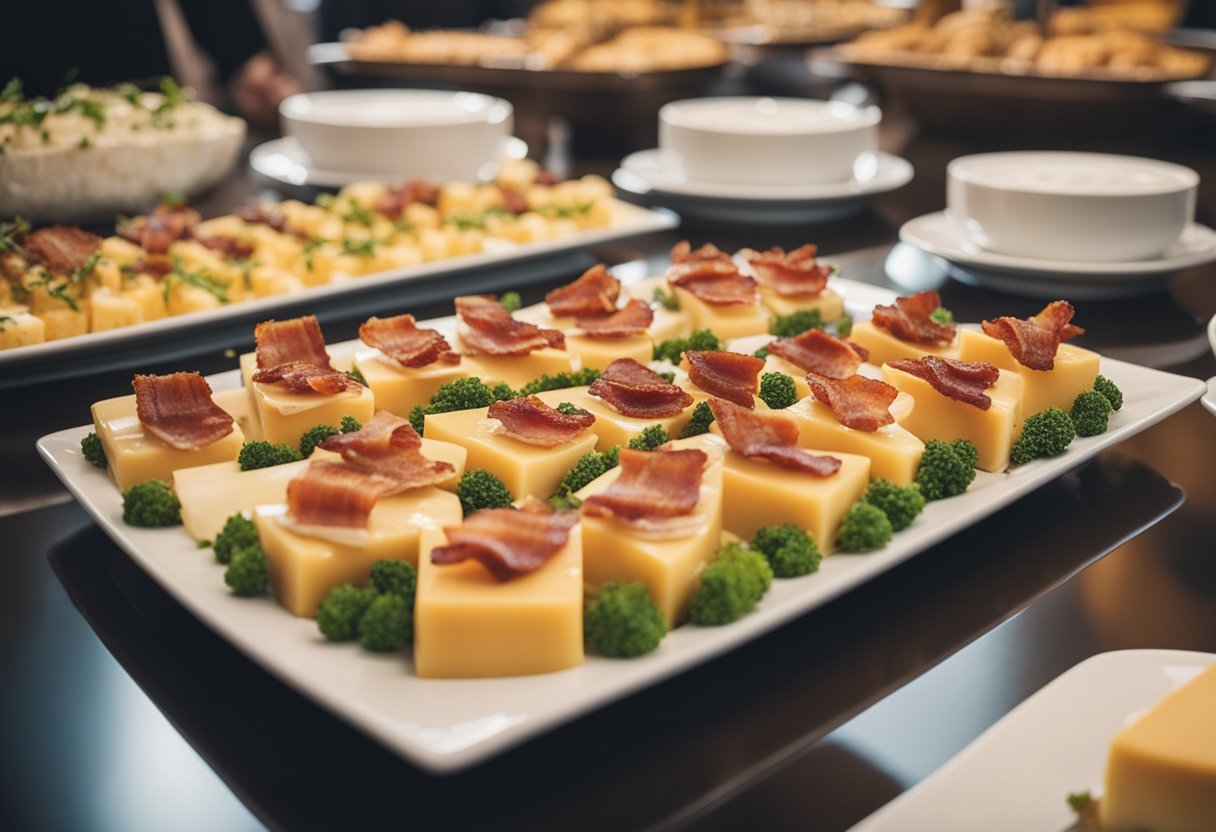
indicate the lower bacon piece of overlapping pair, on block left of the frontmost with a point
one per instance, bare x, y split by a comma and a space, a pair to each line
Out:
331, 493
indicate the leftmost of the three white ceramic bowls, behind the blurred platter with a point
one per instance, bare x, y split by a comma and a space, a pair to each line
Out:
412, 133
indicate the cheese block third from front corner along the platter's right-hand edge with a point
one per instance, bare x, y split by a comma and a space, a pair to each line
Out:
759, 493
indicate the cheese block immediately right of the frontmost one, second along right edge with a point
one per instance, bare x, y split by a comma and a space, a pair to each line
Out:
671, 569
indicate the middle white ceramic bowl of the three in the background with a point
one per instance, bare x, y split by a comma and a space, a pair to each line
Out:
768, 142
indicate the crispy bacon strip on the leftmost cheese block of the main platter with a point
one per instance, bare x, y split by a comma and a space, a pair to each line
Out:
178, 411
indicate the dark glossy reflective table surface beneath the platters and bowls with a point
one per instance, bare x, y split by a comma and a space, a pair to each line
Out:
120, 711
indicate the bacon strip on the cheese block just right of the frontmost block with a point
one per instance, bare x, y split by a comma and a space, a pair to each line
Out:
654, 488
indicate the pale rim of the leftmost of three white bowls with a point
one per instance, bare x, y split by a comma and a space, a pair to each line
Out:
485, 109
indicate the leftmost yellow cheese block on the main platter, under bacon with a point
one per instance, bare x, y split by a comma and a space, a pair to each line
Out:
136, 457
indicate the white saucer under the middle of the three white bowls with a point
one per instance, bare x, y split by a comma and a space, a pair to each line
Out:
658, 177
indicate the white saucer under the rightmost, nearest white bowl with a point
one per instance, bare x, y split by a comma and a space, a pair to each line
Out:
941, 235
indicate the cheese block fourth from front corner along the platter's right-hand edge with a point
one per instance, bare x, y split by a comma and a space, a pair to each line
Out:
894, 453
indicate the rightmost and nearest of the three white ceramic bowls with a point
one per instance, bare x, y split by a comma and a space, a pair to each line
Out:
1062, 206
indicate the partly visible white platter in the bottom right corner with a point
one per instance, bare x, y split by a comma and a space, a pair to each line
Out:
1017, 775
